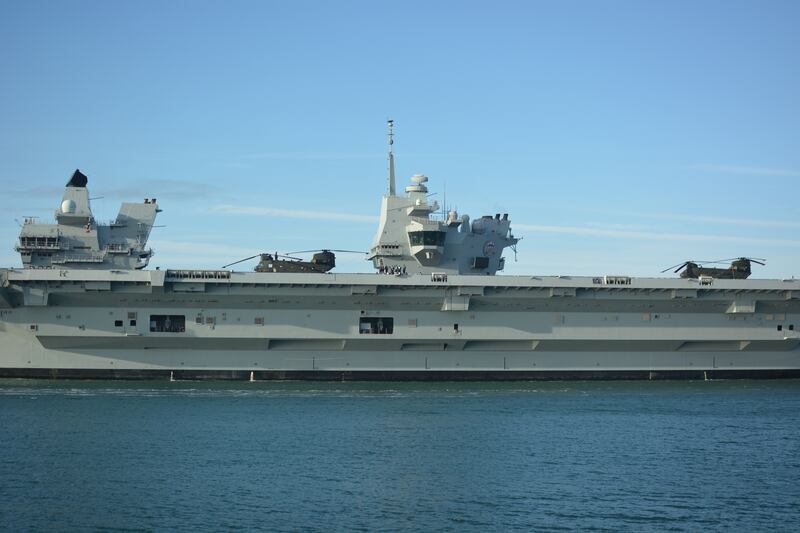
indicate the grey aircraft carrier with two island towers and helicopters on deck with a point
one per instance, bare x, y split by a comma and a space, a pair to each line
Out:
85, 306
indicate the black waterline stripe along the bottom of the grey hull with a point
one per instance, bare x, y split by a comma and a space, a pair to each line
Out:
402, 375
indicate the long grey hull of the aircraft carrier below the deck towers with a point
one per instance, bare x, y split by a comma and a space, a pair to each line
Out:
317, 326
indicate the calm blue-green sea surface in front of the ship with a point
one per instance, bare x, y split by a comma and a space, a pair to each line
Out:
618, 456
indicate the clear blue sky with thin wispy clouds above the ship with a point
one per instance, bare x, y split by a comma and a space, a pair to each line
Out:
621, 137
